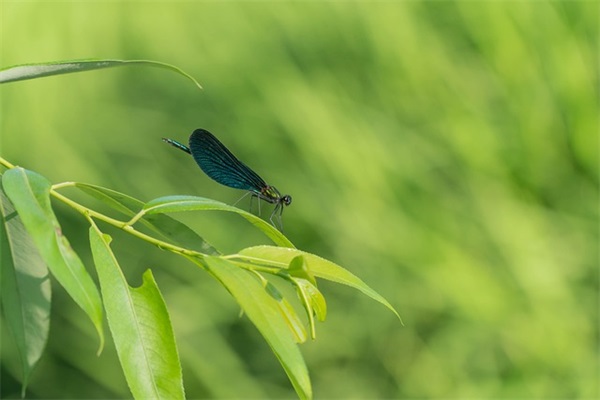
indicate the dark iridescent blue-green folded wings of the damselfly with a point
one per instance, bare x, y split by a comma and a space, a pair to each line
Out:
219, 164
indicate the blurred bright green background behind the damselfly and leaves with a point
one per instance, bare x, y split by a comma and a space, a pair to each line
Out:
446, 153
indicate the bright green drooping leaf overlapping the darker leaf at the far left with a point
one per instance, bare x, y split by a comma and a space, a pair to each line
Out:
30, 194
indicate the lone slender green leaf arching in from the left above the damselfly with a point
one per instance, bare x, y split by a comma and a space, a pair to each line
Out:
39, 70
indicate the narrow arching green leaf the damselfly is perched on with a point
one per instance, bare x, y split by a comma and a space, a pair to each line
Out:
192, 203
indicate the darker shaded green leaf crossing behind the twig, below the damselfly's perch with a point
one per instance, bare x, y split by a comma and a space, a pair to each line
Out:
171, 229
